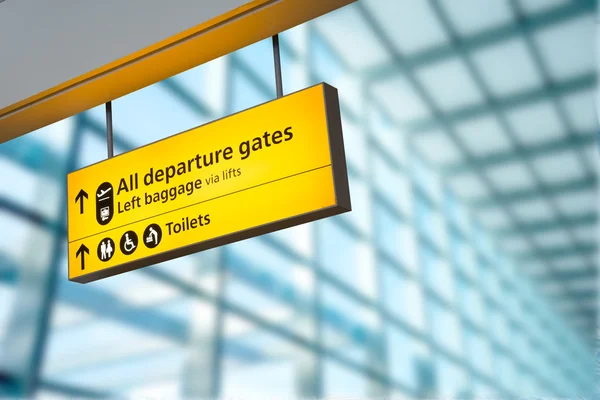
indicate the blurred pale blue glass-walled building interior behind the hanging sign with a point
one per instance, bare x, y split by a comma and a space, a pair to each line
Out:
468, 265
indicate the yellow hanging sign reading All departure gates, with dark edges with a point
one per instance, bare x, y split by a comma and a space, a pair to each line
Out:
270, 167
